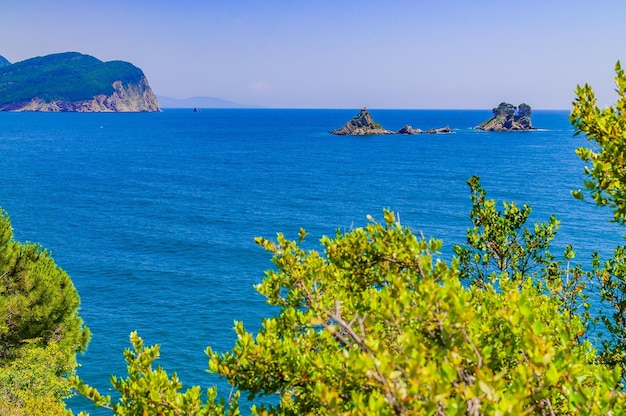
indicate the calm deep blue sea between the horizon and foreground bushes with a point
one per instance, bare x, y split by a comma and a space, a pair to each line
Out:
154, 215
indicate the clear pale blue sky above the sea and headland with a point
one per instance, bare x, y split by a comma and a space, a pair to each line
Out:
339, 54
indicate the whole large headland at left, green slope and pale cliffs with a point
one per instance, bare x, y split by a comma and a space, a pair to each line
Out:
72, 81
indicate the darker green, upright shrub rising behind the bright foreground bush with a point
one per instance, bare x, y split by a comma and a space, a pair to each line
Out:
500, 246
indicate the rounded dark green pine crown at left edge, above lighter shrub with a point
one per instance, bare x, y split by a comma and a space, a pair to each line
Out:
38, 300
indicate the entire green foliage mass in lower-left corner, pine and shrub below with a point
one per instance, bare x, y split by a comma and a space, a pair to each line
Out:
40, 329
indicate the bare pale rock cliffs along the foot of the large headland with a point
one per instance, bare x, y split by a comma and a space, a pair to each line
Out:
125, 98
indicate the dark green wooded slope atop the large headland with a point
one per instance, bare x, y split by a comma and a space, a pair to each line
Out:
69, 76
